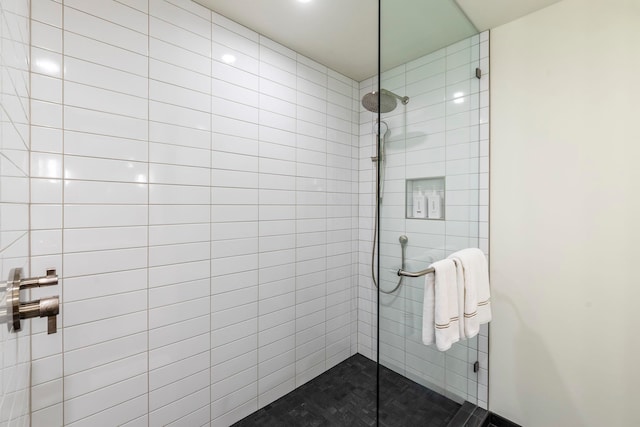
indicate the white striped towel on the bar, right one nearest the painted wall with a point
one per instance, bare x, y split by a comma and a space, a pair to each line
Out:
477, 305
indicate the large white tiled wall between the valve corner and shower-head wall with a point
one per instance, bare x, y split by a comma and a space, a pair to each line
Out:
196, 185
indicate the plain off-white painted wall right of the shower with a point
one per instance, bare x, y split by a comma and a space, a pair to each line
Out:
565, 188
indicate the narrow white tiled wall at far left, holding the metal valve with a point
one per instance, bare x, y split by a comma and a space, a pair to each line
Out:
15, 90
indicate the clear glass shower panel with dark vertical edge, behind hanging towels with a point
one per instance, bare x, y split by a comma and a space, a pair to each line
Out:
428, 201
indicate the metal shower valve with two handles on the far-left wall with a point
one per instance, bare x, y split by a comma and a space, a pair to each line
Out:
15, 310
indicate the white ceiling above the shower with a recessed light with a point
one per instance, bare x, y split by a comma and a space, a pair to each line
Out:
343, 34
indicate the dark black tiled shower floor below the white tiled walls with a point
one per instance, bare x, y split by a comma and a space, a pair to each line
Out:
345, 395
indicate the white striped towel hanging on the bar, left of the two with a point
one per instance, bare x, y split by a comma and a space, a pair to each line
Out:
440, 317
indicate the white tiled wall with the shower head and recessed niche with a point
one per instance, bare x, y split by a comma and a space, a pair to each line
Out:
442, 131
